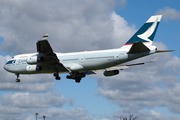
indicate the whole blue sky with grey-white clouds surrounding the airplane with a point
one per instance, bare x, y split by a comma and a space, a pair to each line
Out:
150, 91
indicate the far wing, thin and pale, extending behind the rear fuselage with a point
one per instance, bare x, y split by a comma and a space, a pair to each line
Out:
121, 67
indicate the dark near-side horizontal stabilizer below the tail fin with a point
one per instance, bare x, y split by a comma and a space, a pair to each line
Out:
138, 47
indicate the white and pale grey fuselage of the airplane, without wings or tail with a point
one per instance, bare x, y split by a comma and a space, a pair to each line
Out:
77, 61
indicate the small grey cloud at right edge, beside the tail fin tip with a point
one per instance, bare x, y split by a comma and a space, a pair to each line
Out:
169, 13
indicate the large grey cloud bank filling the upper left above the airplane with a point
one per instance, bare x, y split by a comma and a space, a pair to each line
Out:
74, 25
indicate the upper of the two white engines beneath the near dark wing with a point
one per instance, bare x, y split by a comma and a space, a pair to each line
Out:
34, 60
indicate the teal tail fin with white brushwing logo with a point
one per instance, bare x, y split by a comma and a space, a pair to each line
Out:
147, 32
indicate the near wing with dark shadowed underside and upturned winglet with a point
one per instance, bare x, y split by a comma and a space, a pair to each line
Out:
49, 57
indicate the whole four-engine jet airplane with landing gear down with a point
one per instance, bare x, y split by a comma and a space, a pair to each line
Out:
79, 64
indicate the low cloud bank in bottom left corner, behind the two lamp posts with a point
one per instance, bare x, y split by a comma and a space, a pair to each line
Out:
25, 105
